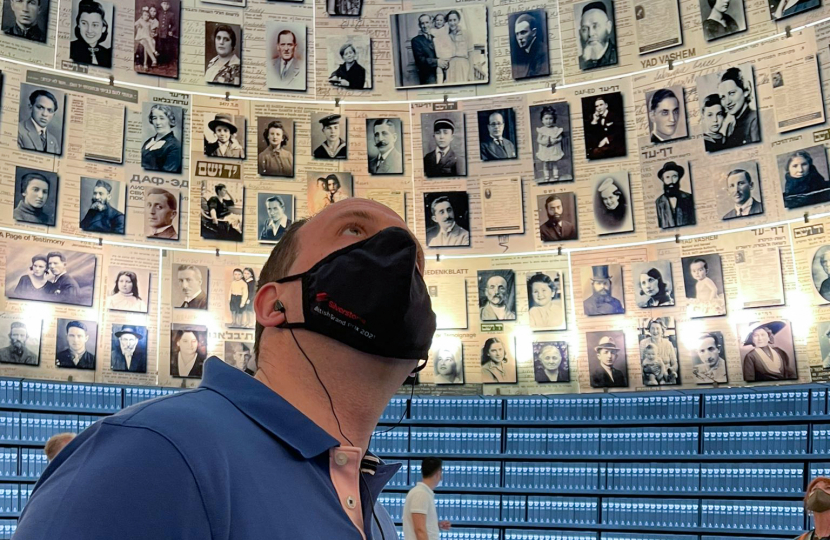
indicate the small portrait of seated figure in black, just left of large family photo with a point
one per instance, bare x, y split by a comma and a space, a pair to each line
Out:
351, 66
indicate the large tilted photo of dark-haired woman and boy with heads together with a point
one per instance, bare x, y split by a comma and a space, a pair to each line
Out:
735, 88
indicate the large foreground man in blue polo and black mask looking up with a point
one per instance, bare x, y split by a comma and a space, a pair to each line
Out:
284, 441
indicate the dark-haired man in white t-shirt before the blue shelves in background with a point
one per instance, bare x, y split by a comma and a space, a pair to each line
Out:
420, 518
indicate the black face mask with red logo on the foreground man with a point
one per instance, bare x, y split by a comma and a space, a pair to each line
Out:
370, 296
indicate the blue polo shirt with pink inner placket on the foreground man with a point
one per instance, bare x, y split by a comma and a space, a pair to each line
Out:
228, 460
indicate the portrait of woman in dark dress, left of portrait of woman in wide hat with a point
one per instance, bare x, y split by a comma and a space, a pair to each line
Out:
162, 133
